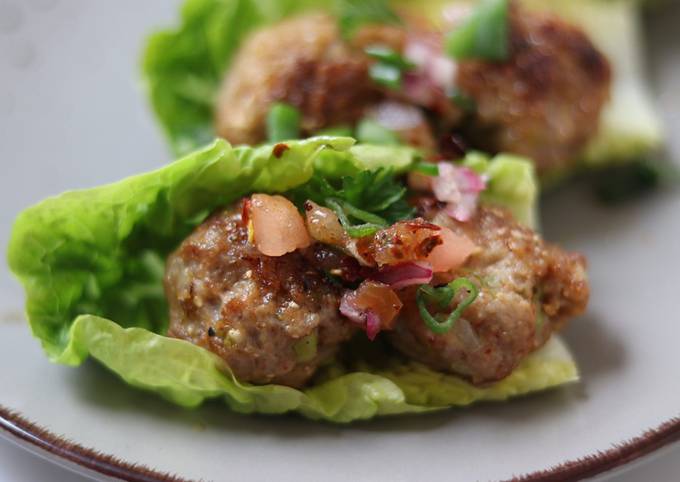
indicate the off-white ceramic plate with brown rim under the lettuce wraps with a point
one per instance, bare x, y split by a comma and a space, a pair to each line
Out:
72, 115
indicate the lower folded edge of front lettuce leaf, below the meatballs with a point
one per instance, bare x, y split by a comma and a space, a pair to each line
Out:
187, 375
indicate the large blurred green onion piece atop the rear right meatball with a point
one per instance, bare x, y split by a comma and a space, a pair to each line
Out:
484, 35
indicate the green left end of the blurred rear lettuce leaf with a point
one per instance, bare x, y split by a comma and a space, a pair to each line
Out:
182, 68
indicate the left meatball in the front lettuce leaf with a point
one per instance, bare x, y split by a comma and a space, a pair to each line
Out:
273, 320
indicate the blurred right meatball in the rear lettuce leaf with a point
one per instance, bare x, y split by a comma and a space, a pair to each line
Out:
545, 102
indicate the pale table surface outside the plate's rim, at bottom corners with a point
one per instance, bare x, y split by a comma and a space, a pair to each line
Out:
18, 465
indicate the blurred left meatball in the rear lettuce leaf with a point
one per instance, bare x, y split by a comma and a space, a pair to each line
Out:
305, 62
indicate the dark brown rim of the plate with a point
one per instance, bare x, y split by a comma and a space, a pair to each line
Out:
585, 467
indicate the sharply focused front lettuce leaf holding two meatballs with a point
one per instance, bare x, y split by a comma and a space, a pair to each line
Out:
92, 265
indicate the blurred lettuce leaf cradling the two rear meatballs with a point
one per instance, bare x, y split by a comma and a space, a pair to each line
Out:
183, 67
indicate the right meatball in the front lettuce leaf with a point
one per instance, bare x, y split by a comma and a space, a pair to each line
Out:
527, 290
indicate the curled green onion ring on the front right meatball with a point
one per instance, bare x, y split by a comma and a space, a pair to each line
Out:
442, 297
